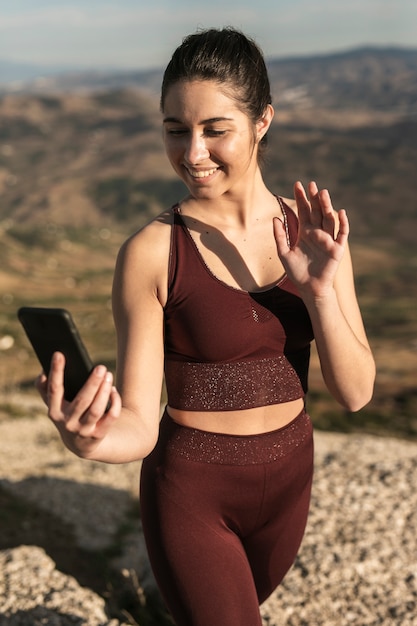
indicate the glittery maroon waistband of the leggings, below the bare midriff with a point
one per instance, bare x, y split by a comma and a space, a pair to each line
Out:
223, 449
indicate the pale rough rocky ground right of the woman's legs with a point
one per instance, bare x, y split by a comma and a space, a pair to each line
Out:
358, 561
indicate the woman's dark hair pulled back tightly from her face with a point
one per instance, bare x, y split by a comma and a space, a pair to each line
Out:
226, 56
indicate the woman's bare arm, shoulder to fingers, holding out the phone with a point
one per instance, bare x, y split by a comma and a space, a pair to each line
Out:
129, 429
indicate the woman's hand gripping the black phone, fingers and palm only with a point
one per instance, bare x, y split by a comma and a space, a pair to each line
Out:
84, 422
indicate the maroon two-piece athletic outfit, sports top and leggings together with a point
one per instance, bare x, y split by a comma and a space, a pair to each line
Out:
224, 515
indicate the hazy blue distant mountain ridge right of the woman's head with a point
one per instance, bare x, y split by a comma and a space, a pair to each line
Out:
374, 78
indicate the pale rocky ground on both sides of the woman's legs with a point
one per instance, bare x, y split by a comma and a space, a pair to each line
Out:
71, 549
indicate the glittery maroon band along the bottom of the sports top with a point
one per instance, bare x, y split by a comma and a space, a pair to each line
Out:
231, 386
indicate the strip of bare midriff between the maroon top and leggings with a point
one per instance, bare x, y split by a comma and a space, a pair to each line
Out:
252, 421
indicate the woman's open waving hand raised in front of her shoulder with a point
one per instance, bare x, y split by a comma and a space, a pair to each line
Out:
313, 261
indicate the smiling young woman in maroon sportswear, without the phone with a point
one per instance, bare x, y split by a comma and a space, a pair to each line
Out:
223, 293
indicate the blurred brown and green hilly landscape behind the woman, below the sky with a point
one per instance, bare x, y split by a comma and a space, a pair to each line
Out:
82, 166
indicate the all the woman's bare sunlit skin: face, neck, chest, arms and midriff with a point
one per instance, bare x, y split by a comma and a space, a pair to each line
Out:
236, 222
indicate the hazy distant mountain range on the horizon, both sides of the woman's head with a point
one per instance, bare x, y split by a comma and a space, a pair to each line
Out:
370, 76
